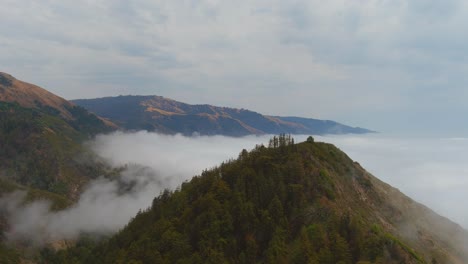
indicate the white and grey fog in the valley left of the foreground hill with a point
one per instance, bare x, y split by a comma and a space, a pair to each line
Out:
152, 162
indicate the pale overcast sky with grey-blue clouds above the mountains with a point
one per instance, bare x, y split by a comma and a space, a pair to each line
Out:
396, 66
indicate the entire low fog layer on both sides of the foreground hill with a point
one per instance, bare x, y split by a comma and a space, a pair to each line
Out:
431, 171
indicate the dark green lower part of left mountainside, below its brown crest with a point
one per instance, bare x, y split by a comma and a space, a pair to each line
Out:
44, 151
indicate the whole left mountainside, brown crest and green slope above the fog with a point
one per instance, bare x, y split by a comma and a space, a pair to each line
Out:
41, 136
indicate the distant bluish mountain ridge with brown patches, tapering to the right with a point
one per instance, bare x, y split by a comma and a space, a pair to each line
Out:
156, 113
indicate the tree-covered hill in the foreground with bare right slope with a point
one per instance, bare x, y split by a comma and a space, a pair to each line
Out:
303, 203
